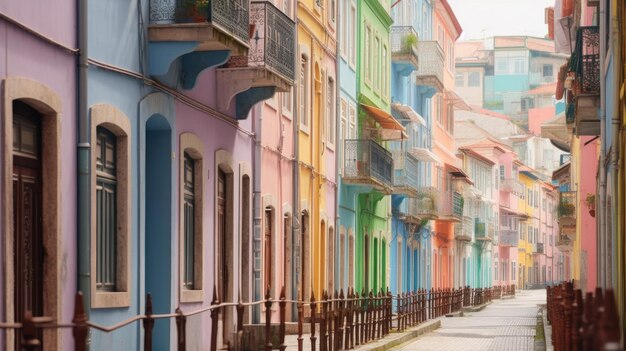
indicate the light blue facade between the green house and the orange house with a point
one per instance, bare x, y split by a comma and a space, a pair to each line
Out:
410, 246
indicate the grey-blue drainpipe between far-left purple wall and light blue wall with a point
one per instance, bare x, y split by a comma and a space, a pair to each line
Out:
84, 161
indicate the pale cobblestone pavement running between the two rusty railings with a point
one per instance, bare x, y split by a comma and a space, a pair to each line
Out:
504, 325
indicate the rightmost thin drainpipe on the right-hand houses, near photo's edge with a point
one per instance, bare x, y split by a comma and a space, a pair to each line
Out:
615, 145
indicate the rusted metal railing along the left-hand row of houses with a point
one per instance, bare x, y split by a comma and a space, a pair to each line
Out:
337, 321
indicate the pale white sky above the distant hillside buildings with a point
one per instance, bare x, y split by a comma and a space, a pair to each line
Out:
486, 18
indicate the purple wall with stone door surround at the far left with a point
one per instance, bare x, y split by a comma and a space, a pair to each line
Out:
32, 68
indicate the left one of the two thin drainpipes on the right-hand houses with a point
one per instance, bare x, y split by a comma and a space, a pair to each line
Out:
600, 237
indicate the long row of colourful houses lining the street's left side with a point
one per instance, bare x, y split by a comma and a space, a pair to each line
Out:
180, 148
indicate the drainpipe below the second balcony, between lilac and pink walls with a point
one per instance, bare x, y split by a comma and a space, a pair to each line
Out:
256, 205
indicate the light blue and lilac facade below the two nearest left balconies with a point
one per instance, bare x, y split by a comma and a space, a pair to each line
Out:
183, 100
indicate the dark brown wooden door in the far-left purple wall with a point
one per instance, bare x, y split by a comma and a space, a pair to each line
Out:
27, 215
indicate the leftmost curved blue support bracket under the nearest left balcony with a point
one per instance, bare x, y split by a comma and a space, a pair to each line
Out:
162, 54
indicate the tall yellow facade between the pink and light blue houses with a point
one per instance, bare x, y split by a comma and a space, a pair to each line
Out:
316, 67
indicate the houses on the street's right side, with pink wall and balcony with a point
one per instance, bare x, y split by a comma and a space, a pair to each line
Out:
591, 181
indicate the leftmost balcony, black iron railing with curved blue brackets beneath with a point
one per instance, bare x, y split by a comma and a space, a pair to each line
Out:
202, 33
